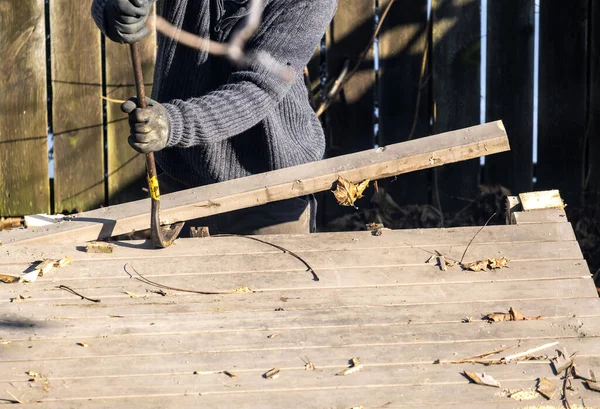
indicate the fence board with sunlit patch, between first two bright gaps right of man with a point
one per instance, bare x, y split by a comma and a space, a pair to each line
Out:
401, 43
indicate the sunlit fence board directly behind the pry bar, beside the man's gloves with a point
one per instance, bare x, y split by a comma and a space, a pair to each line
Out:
126, 168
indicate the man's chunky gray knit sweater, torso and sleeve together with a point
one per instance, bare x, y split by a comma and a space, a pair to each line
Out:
228, 122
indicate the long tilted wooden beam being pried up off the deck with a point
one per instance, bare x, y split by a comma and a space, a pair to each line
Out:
277, 185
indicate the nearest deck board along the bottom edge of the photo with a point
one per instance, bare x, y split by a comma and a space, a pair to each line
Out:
371, 396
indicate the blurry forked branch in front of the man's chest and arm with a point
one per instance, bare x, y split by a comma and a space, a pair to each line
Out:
234, 49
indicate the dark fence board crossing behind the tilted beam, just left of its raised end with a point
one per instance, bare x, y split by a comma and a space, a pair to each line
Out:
455, 76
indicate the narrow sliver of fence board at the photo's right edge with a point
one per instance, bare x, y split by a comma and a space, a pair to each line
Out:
593, 182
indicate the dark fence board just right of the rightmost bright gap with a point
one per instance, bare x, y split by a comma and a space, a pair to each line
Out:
562, 97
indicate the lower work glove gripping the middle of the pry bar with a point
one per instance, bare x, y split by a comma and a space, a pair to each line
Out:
148, 127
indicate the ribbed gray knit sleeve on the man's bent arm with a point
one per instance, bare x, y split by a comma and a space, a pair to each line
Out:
289, 33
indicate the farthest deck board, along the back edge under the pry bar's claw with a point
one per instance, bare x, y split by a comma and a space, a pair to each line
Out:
427, 239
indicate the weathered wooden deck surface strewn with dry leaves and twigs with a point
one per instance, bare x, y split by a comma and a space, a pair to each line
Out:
377, 299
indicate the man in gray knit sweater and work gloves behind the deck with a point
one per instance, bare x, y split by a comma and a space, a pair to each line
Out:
210, 121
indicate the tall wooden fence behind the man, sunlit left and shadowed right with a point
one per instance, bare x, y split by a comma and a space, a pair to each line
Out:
55, 68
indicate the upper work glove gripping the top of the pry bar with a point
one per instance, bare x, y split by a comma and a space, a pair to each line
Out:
125, 20
